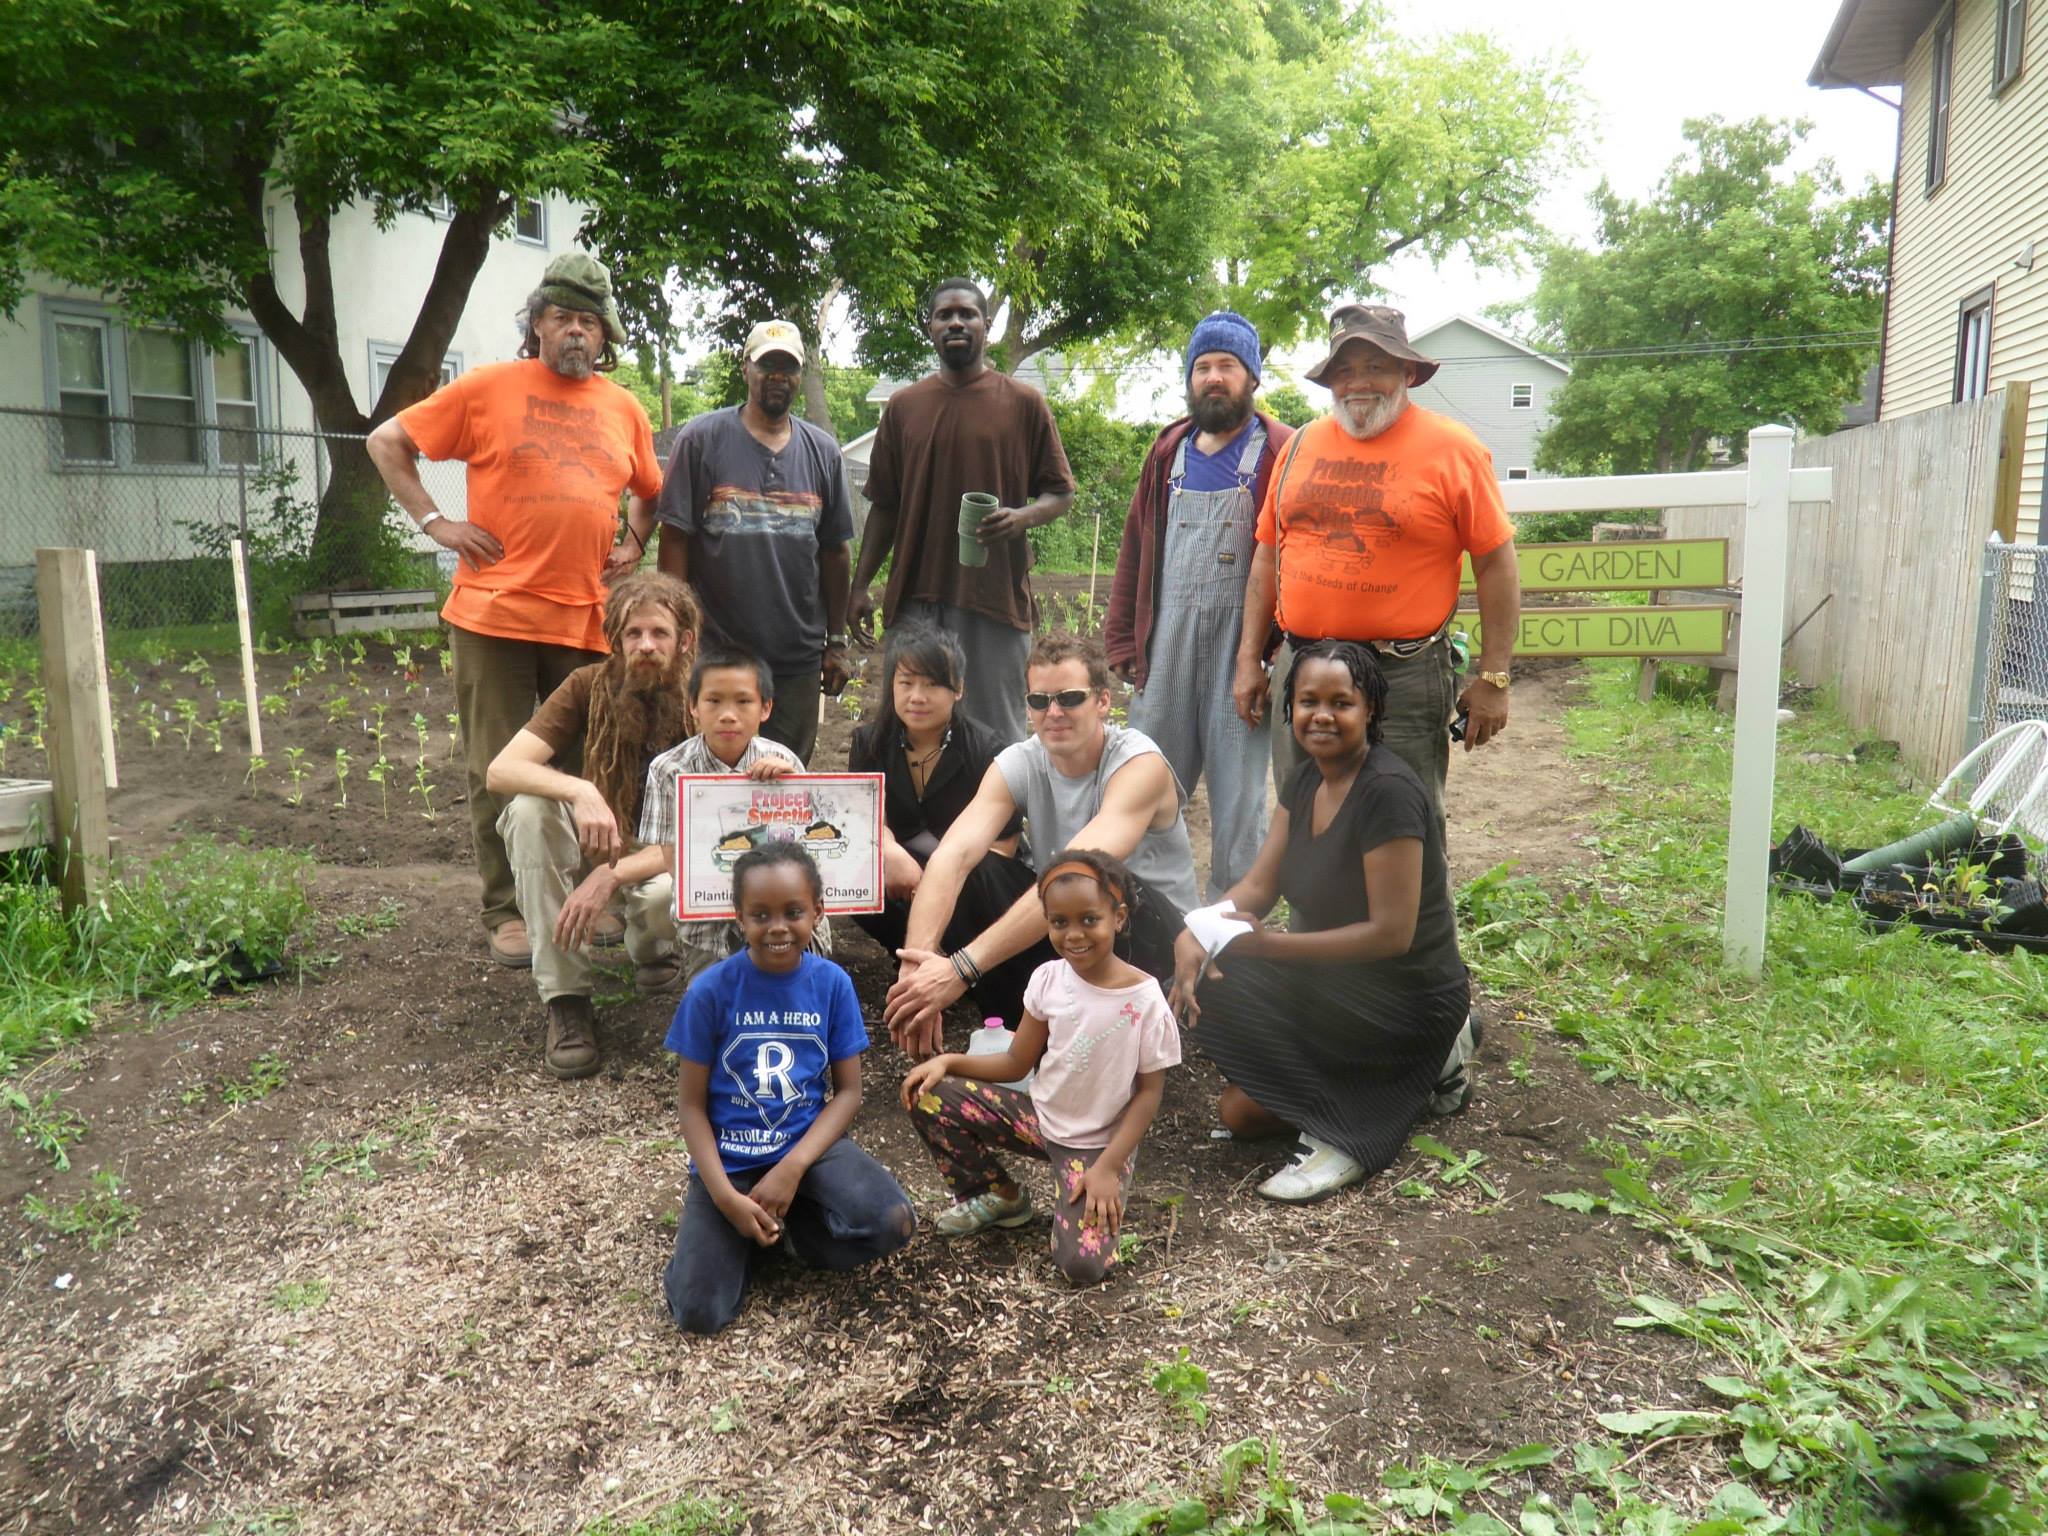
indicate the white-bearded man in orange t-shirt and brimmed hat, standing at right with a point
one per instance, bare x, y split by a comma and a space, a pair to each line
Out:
1363, 536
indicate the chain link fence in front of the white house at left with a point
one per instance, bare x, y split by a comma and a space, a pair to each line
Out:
161, 499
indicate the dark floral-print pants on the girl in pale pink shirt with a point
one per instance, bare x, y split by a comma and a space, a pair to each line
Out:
968, 1123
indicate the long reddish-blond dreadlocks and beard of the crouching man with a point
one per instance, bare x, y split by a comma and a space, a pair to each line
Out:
630, 726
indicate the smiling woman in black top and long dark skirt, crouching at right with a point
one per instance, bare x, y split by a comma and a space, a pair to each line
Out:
1338, 1025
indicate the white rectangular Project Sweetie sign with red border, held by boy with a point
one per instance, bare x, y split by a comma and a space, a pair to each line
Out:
835, 818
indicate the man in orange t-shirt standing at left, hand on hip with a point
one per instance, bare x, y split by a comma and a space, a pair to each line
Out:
550, 450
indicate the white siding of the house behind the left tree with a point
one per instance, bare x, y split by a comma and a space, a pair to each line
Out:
380, 278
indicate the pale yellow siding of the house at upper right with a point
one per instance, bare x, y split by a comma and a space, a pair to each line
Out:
1961, 239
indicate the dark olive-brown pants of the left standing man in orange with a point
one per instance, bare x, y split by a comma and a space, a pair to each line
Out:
499, 685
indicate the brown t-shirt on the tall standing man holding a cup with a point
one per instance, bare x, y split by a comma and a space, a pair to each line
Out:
939, 441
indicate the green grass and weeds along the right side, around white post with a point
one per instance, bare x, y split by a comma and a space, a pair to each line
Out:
1850, 1158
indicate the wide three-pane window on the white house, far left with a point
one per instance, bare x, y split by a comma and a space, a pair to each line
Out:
146, 398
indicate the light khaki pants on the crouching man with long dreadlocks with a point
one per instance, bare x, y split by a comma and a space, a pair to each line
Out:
548, 865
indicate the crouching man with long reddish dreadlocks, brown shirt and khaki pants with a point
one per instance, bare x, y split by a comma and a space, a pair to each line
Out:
570, 839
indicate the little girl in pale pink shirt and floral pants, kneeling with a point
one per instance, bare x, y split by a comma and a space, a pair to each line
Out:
1101, 1037
